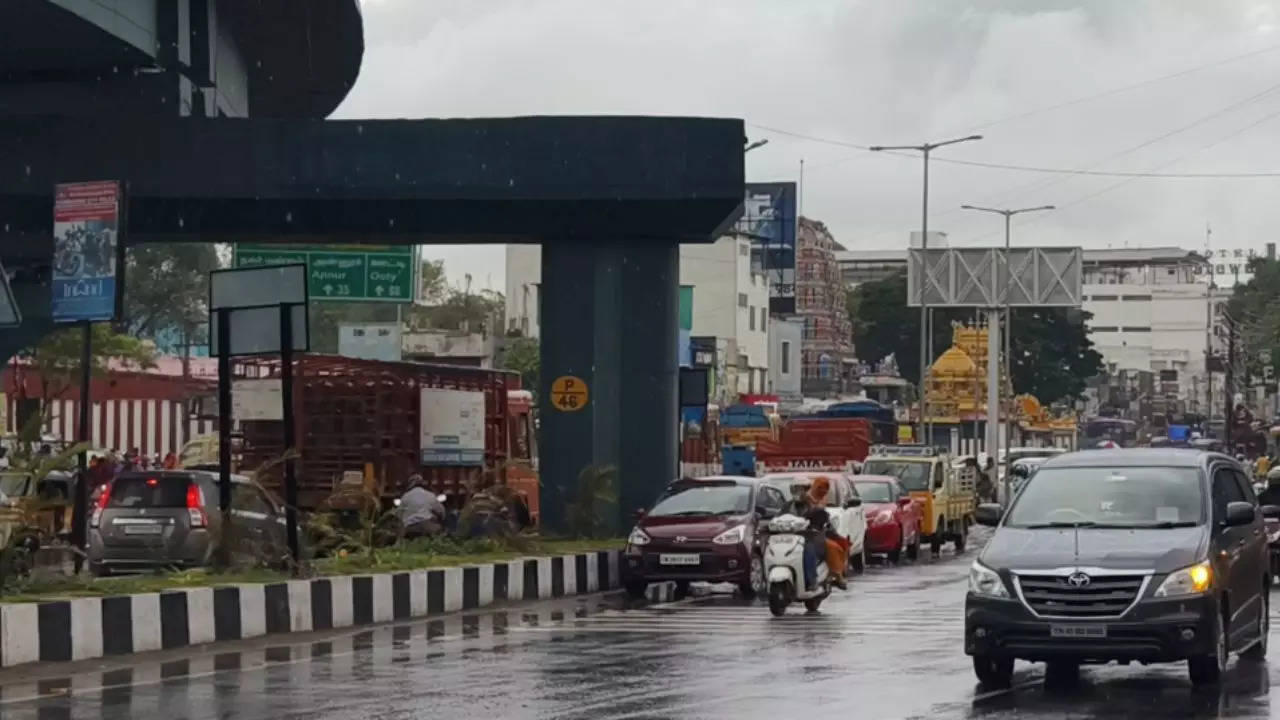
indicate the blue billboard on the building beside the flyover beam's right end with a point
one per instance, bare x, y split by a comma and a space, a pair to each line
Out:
770, 218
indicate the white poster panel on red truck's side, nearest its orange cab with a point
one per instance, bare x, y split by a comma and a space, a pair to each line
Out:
451, 425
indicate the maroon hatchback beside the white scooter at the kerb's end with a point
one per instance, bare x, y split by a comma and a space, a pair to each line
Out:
706, 530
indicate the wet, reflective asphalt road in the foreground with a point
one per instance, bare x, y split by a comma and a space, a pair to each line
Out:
892, 648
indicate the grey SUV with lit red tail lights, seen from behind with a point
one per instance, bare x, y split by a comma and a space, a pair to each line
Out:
171, 520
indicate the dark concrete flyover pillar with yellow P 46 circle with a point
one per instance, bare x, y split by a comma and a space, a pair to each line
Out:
609, 316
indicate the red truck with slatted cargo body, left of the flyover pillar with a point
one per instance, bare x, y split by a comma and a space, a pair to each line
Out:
376, 425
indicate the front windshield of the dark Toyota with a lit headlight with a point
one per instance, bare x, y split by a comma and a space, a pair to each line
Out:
1128, 498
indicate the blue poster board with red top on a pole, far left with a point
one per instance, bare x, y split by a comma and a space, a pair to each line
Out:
86, 227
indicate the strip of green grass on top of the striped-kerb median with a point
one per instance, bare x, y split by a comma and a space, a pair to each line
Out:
414, 555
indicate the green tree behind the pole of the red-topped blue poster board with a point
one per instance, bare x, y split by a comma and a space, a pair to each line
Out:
57, 358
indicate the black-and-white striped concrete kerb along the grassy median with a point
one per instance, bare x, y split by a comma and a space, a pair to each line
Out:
97, 627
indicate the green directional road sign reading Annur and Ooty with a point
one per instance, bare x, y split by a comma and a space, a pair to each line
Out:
359, 274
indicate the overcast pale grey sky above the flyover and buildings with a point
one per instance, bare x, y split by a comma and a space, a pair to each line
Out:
888, 72
